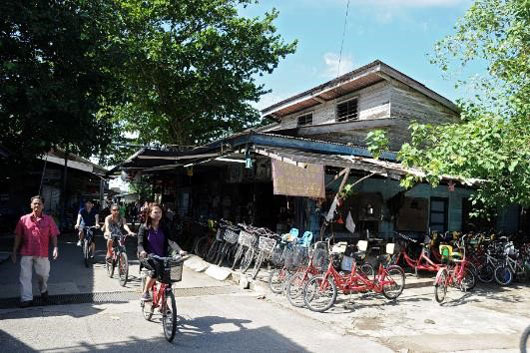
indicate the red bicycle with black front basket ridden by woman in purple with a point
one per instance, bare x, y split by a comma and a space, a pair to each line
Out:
162, 294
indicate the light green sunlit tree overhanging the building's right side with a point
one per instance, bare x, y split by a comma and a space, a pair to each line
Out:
492, 141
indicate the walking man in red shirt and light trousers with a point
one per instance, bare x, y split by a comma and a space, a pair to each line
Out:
33, 234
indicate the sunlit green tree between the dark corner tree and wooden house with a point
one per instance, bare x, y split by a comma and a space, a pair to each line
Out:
192, 66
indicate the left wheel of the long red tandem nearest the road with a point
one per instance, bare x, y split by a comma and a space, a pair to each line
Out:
320, 294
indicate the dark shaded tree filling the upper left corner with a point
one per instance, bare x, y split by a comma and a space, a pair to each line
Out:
55, 75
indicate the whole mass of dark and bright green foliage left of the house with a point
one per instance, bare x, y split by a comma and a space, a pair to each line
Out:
78, 74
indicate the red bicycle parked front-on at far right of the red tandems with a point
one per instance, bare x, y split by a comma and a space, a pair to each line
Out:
457, 272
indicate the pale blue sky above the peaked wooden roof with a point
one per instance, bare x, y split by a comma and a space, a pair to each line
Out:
398, 32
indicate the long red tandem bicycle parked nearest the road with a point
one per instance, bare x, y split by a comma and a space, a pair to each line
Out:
320, 292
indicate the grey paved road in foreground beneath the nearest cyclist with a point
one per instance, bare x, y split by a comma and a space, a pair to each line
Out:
208, 322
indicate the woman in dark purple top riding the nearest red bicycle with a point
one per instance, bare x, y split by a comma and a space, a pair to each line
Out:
154, 237
